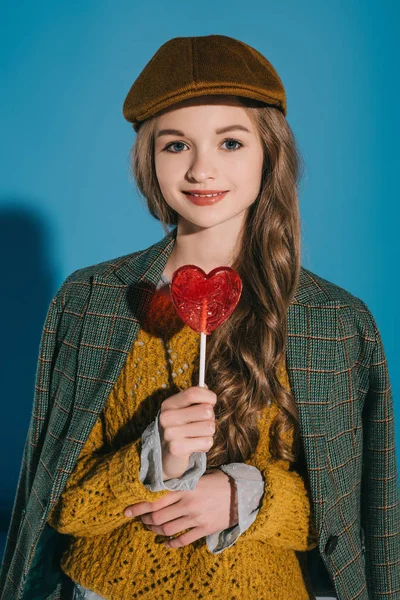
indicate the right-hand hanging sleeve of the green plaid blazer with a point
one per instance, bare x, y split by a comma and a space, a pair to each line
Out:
380, 503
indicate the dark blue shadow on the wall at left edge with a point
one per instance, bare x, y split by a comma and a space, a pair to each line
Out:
27, 287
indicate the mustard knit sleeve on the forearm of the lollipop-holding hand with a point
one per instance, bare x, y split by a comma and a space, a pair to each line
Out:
101, 486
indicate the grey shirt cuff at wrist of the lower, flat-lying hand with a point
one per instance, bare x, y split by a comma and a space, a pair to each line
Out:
250, 489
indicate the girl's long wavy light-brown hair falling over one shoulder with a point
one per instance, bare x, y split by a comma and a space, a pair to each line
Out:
244, 352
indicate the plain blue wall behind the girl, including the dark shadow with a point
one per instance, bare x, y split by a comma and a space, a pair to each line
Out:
67, 199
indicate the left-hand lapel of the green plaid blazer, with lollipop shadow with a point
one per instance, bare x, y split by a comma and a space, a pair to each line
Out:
119, 299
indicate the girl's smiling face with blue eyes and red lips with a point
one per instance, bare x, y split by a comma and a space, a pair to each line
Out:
197, 156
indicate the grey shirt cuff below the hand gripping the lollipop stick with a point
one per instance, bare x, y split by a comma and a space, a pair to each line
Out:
151, 464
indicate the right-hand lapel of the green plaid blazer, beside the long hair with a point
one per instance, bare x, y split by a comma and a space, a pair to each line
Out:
311, 363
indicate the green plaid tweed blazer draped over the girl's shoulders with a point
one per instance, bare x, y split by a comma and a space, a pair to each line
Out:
339, 377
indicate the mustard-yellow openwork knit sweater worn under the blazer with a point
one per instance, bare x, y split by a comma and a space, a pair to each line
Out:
118, 557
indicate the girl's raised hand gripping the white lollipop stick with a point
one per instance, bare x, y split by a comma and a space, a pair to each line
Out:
186, 424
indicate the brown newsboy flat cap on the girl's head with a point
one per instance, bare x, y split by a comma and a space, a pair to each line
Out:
184, 67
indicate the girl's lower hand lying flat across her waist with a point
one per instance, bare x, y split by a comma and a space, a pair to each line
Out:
209, 508
